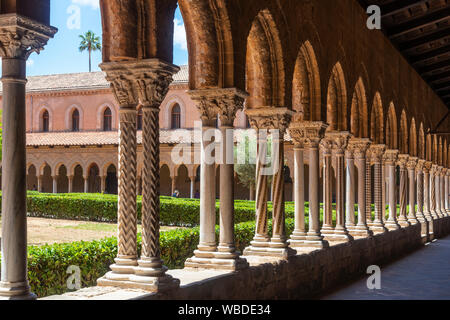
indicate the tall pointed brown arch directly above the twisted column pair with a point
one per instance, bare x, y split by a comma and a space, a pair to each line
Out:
265, 68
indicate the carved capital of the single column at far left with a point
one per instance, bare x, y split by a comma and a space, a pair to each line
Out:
21, 36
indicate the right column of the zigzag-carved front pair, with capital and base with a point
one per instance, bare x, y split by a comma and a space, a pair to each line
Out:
151, 87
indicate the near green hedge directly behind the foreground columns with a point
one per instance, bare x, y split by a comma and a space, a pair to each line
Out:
47, 264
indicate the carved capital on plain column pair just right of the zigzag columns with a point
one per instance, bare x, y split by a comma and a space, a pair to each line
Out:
222, 103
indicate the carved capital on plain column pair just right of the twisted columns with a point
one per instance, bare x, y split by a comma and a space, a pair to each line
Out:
307, 133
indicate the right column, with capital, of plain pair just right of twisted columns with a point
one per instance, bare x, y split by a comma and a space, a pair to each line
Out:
310, 134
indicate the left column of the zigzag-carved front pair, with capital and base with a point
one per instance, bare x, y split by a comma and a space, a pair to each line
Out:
120, 76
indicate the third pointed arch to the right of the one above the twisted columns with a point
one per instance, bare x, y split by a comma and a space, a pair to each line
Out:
359, 112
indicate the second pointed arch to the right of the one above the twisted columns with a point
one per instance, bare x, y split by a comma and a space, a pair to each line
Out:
337, 100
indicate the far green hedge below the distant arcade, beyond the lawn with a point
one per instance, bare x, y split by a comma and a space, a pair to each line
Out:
103, 208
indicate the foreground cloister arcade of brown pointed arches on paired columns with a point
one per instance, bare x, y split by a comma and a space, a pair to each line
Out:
355, 110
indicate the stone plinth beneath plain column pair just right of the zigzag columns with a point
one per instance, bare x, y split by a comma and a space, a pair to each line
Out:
235, 264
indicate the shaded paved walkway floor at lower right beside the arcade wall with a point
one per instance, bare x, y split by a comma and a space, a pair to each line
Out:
423, 275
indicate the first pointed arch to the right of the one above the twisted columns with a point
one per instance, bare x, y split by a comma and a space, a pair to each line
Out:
306, 95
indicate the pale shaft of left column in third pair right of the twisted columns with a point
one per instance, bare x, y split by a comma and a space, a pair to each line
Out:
350, 191
